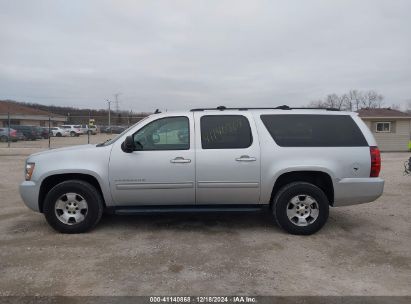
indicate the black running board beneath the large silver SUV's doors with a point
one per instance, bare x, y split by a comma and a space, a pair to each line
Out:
188, 209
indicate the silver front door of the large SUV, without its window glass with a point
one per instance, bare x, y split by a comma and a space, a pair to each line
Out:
153, 177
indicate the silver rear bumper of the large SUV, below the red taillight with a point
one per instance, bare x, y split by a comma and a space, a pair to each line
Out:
352, 191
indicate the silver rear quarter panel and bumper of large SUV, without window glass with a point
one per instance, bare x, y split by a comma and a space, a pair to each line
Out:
340, 163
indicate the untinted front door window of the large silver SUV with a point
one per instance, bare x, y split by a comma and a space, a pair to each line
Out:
169, 133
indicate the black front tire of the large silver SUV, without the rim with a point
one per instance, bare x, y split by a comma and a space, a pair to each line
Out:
88, 192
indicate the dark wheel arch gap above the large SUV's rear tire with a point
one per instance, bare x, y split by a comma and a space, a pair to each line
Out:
319, 178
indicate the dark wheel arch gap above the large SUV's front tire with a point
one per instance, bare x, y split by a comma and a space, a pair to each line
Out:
52, 180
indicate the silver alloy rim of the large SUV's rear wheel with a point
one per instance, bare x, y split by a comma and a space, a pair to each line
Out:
302, 210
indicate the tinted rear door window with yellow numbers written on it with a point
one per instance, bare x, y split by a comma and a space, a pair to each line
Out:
225, 132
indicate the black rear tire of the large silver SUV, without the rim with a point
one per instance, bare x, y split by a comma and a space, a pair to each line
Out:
299, 189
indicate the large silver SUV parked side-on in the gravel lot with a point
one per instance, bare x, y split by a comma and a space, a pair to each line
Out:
293, 162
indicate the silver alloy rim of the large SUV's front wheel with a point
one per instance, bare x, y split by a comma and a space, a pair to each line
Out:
71, 208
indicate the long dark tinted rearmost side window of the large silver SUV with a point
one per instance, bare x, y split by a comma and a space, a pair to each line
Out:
314, 130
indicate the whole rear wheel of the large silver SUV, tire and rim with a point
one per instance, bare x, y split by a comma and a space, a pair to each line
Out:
300, 208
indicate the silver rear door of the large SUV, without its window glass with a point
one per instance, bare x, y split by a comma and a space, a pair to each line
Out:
227, 176
